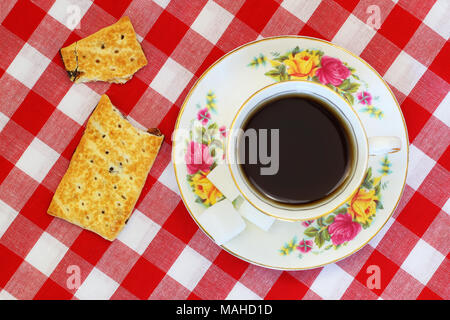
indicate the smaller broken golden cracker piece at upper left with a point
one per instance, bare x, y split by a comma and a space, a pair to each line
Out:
112, 54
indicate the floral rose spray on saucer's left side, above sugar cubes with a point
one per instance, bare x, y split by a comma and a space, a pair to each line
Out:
203, 150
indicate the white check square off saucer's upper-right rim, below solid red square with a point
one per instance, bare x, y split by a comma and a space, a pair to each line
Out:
404, 72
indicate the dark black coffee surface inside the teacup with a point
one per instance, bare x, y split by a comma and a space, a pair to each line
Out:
314, 150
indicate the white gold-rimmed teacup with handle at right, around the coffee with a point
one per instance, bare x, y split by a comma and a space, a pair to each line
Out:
363, 147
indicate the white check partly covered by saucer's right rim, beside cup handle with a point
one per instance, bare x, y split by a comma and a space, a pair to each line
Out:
419, 166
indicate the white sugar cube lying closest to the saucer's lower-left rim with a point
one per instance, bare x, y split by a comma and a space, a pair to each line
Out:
222, 221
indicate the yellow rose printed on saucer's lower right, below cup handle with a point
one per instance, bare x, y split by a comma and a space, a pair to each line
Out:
363, 205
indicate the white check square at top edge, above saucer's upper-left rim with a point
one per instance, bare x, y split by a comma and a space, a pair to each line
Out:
212, 21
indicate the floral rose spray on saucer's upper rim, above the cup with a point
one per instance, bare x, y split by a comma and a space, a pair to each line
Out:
314, 65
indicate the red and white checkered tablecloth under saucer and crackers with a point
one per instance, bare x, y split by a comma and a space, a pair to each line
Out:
168, 256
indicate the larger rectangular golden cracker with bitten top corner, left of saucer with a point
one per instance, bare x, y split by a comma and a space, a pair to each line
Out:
106, 173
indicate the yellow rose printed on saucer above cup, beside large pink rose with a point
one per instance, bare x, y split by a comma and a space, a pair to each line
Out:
302, 65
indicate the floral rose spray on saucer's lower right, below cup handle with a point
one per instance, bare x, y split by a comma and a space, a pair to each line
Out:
346, 222
